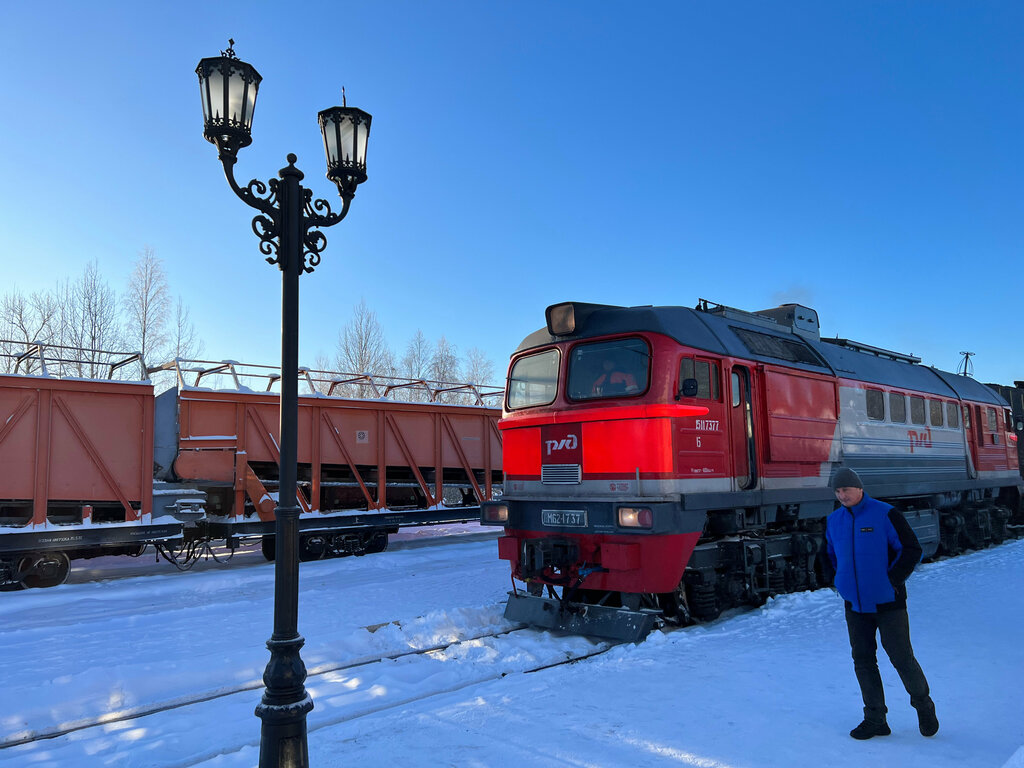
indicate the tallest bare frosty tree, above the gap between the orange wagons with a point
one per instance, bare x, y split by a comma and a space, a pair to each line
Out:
149, 308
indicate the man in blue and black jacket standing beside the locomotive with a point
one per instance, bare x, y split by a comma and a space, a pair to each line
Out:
874, 550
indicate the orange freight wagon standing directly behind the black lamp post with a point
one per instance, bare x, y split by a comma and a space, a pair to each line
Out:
366, 466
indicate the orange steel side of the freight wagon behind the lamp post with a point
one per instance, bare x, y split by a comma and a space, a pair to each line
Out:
225, 435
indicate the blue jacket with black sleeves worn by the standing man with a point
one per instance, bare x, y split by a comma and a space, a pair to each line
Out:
872, 559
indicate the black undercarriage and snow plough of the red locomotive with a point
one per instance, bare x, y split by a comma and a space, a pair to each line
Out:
734, 567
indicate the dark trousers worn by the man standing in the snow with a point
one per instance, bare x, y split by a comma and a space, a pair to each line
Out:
894, 628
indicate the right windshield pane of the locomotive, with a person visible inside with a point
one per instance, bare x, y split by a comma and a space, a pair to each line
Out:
609, 369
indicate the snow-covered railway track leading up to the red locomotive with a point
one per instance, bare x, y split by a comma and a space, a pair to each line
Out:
326, 676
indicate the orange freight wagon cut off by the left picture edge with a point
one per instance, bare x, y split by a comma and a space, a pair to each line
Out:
76, 475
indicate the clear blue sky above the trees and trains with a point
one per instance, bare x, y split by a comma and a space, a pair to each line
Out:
863, 158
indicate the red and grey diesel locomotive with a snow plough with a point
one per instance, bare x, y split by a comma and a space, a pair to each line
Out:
667, 462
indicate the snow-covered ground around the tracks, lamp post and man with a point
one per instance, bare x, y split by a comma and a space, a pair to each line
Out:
773, 687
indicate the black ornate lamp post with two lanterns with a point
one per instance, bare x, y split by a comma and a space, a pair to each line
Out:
288, 227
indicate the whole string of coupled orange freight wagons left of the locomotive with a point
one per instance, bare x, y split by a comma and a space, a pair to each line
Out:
96, 466
